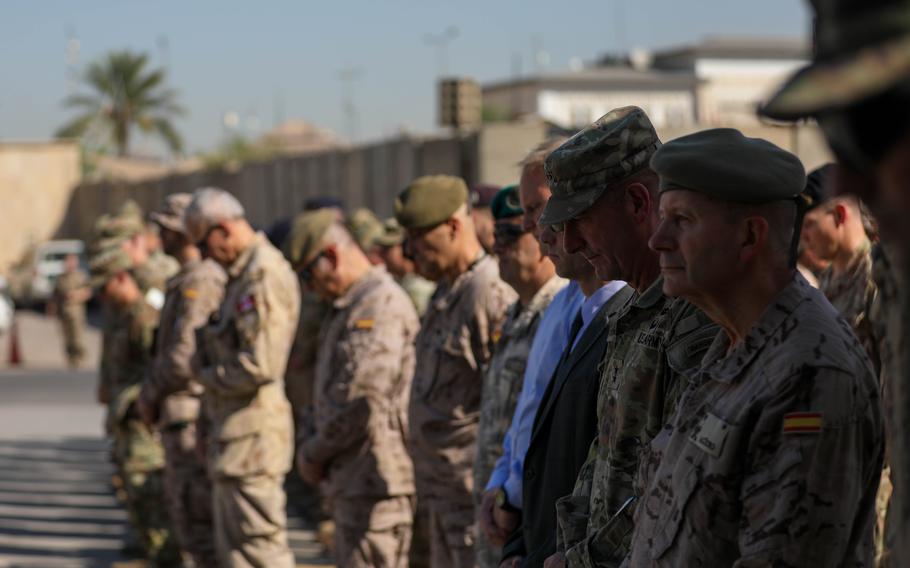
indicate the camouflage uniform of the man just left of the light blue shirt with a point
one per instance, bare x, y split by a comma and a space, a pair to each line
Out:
502, 383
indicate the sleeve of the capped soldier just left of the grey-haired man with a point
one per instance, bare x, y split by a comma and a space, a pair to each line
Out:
172, 370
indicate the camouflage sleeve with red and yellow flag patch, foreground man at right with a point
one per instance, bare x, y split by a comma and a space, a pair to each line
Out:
814, 464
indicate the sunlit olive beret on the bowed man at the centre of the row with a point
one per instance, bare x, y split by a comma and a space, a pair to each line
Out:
430, 200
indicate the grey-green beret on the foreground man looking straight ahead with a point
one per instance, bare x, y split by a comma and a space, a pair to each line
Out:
723, 163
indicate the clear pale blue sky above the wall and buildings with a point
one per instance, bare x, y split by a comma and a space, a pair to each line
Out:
282, 59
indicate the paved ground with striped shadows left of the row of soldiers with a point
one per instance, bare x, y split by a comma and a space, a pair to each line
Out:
57, 508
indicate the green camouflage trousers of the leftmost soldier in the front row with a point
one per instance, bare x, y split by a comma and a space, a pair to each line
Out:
138, 453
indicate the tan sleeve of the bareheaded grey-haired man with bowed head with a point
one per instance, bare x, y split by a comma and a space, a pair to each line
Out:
239, 352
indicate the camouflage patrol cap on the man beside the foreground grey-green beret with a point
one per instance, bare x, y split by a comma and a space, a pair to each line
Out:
618, 145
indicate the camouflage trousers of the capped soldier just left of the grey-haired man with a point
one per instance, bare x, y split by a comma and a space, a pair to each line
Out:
188, 492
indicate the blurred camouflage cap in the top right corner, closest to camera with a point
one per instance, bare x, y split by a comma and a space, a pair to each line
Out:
862, 50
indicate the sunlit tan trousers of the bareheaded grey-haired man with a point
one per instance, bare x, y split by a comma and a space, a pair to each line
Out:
250, 522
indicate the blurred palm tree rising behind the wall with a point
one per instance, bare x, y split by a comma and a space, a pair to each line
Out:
126, 95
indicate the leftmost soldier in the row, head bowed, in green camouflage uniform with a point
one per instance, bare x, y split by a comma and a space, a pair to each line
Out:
138, 455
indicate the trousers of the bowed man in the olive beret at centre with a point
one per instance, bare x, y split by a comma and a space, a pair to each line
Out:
452, 532
